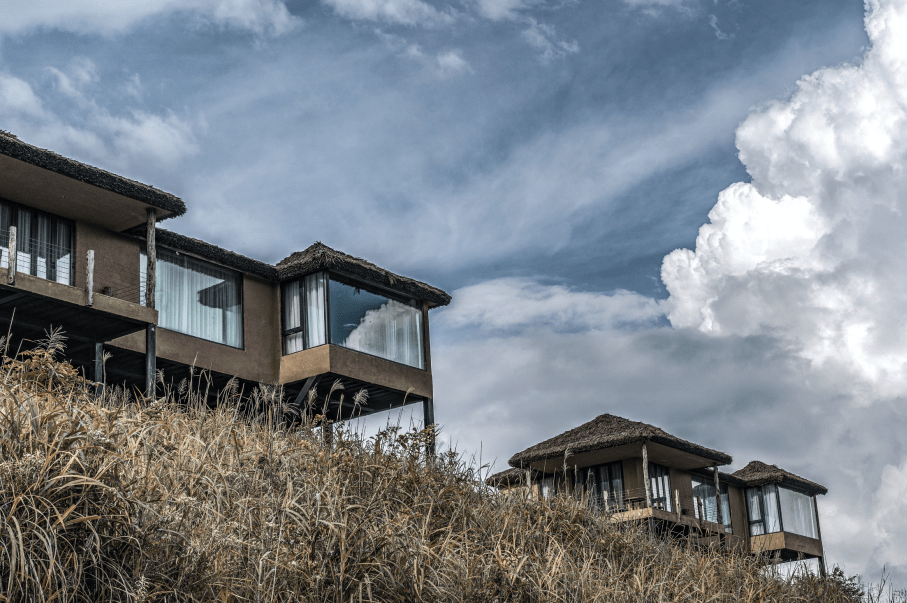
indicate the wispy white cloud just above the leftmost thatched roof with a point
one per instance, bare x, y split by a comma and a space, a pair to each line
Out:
116, 141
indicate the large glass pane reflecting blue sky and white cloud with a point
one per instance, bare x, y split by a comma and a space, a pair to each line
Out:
374, 324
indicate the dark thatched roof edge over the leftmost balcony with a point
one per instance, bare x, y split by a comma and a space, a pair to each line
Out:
11, 146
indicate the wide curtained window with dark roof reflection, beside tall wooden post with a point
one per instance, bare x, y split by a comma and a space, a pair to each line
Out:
197, 298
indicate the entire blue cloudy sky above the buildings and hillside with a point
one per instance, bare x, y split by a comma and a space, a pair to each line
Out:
684, 212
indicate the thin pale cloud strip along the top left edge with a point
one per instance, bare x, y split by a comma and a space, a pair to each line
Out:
262, 17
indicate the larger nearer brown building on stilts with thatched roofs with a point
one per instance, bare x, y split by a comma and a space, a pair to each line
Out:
80, 248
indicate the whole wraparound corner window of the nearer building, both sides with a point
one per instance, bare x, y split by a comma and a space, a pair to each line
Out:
318, 310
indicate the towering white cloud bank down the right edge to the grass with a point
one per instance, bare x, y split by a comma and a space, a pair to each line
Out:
812, 252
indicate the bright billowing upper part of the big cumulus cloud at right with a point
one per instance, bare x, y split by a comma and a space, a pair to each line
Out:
813, 248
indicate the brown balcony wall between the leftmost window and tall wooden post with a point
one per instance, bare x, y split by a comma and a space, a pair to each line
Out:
116, 260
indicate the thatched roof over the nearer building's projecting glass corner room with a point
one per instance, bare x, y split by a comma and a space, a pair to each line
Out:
321, 257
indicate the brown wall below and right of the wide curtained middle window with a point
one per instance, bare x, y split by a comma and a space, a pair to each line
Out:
260, 358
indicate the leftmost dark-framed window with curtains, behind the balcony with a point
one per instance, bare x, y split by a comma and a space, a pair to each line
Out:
44, 243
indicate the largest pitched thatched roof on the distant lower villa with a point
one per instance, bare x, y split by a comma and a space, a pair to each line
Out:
607, 431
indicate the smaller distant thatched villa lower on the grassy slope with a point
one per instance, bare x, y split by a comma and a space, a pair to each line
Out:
637, 472
